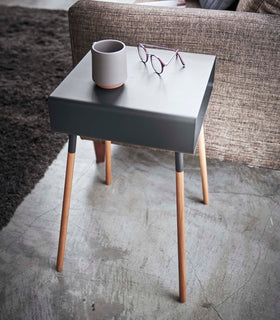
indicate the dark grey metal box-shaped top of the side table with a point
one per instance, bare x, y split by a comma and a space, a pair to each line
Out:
164, 112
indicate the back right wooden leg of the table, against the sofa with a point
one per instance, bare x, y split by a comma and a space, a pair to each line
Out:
203, 166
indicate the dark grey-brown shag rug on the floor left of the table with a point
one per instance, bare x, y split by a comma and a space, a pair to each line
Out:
35, 56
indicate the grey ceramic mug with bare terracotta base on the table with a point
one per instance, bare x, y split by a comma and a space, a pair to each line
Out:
109, 66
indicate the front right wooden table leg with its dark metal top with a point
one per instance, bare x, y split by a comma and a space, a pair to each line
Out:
181, 226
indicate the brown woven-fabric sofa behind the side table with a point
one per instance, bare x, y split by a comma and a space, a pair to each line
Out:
242, 123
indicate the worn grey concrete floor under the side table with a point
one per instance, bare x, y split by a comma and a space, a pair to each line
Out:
121, 251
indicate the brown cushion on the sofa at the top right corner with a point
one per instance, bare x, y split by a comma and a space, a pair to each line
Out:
261, 6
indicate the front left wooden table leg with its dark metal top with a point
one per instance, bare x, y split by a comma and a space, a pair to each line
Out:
66, 201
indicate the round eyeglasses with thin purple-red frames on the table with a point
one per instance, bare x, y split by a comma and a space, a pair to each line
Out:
156, 62
